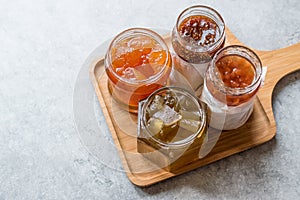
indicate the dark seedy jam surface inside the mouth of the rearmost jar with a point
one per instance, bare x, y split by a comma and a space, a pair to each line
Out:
200, 28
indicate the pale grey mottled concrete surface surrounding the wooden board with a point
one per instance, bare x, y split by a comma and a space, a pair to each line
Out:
43, 46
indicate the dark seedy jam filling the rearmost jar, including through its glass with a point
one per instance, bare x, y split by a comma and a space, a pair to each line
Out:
200, 37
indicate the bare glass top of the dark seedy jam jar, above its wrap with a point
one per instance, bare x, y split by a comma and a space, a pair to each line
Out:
198, 34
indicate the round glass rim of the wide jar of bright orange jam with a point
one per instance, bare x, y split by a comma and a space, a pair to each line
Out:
132, 33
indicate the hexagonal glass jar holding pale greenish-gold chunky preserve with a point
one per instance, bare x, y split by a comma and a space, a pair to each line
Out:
171, 127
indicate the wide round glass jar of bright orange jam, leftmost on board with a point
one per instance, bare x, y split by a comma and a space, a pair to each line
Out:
137, 63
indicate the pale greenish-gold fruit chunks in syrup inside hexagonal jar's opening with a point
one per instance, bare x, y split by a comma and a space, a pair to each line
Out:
171, 118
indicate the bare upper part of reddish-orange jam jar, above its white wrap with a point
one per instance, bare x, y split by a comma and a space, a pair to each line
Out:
234, 75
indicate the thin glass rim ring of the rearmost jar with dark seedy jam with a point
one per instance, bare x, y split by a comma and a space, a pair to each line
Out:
215, 13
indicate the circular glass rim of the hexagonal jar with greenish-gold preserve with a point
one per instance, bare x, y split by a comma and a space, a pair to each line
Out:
187, 94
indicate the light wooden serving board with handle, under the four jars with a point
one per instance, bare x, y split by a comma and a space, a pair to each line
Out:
259, 128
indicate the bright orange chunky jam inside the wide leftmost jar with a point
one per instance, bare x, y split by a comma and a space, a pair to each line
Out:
137, 68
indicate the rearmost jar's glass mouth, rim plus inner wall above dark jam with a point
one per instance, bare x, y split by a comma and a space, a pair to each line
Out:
204, 11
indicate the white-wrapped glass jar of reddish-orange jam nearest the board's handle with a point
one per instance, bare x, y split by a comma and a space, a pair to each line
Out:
232, 81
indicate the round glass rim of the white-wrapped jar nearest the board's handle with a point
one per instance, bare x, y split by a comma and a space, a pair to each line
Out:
244, 52
